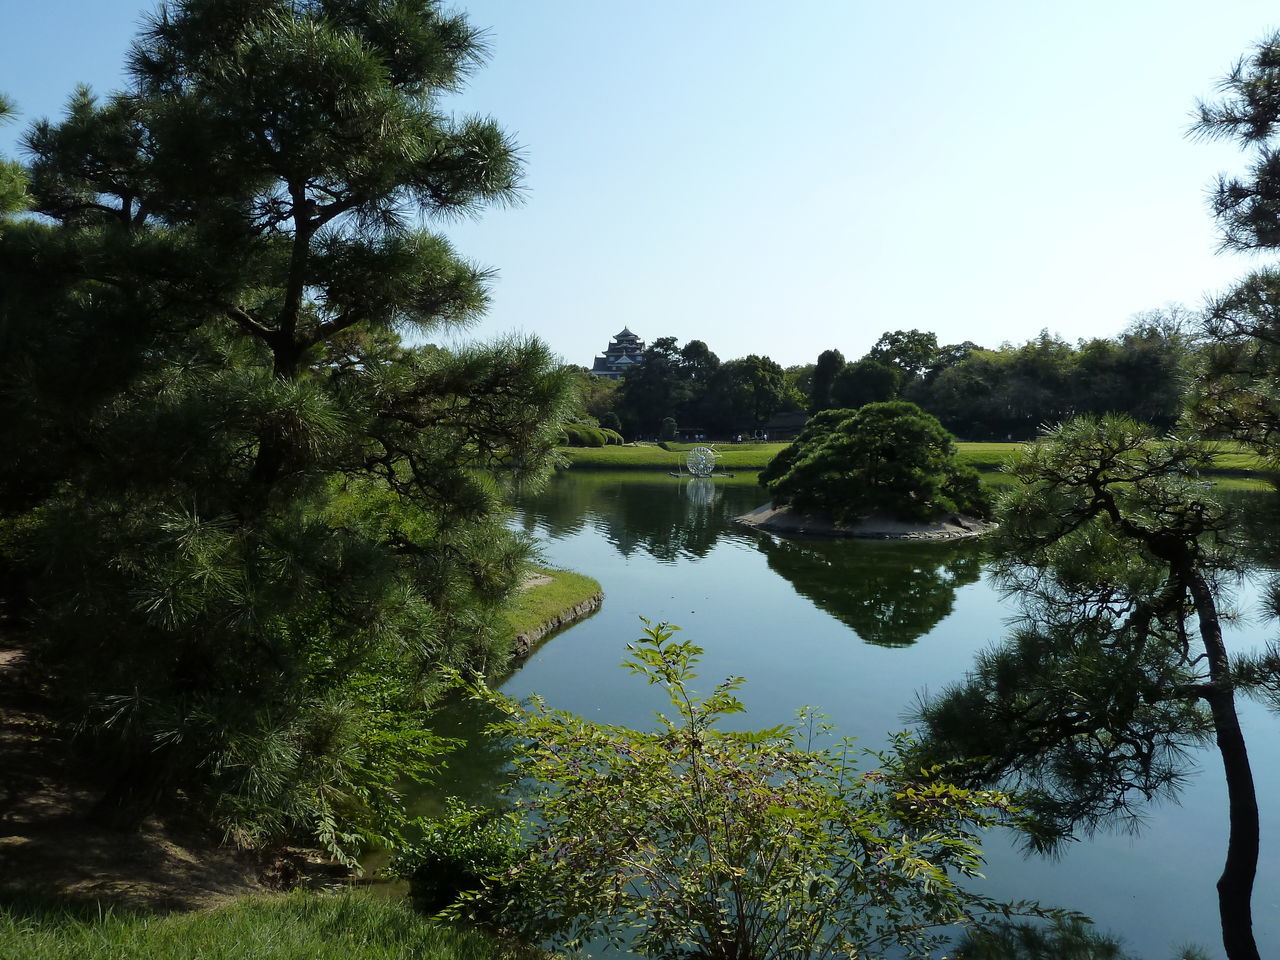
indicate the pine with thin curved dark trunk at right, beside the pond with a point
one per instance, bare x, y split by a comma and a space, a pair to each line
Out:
1118, 668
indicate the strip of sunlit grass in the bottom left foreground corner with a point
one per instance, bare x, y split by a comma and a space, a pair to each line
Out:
353, 926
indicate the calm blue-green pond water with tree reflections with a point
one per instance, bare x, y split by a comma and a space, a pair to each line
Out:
860, 629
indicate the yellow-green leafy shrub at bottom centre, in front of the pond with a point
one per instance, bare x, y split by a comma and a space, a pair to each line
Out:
694, 842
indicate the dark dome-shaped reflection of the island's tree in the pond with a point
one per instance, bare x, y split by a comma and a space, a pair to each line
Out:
890, 593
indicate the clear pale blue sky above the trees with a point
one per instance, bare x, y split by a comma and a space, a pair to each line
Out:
787, 179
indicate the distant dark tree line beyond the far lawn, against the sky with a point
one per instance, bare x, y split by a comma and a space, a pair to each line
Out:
979, 394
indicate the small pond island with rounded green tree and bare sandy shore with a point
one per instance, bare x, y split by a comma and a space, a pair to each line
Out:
880, 472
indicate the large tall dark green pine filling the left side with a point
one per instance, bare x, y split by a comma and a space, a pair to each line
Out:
258, 524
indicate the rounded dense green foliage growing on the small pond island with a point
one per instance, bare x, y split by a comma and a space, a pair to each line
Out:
890, 459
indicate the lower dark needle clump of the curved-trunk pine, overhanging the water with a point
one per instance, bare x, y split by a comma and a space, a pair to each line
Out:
1087, 753
